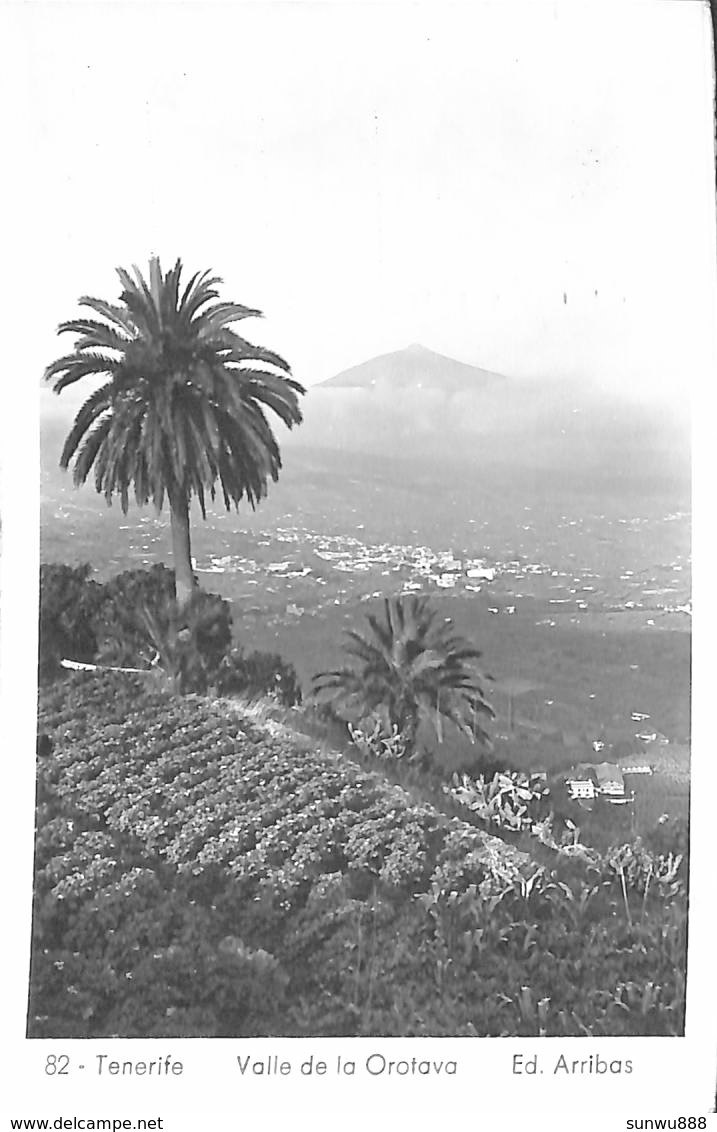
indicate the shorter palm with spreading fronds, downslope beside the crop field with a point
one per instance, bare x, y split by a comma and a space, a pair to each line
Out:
411, 667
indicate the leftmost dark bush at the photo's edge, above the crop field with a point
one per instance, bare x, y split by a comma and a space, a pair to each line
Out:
69, 605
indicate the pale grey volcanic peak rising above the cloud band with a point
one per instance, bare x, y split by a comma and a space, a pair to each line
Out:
414, 367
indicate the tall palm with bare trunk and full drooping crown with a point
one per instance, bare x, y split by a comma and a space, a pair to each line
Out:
183, 406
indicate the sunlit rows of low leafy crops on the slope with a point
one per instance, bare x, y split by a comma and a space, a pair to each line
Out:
261, 810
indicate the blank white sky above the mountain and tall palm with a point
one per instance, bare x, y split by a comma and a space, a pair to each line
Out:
526, 188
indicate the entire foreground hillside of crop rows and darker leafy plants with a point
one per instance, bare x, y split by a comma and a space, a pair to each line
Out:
199, 876
